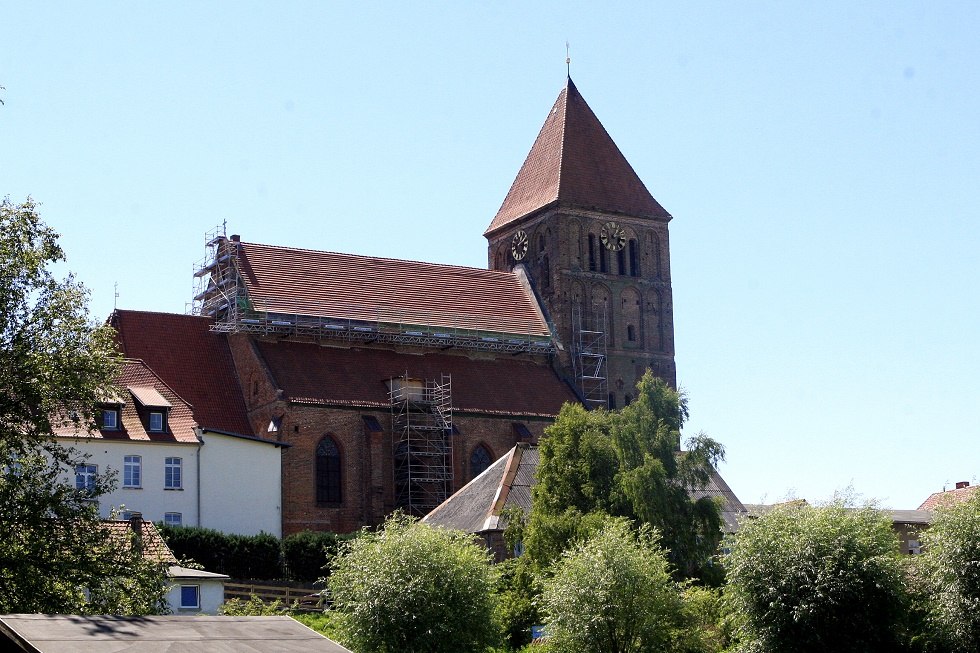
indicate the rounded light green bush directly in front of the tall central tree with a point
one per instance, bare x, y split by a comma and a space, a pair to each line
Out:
613, 594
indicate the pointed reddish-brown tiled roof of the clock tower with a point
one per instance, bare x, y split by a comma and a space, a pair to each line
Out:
575, 162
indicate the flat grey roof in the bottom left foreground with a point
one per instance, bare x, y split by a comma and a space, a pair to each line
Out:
38, 633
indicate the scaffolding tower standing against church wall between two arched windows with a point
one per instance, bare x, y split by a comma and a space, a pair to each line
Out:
422, 426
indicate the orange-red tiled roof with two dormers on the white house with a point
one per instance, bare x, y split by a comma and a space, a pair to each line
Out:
135, 378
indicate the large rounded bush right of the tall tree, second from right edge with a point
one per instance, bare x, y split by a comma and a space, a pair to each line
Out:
804, 578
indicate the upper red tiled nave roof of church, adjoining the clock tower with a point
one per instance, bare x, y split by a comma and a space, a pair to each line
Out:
345, 286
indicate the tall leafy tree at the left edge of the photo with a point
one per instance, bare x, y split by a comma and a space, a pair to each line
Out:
55, 366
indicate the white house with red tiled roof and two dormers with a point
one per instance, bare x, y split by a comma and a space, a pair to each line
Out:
170, 470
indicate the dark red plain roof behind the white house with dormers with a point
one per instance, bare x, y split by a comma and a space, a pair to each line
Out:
189, 358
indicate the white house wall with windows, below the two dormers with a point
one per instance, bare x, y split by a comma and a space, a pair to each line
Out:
151, 498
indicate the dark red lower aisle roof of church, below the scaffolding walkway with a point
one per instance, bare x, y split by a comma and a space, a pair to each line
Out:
312, 373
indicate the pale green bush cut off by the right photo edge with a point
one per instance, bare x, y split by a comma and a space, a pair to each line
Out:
950, 571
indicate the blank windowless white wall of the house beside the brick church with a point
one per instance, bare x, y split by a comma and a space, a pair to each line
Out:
241, 485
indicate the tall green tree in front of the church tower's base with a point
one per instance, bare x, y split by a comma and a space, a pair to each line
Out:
626, 463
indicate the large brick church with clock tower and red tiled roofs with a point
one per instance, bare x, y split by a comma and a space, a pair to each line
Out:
391, 383
